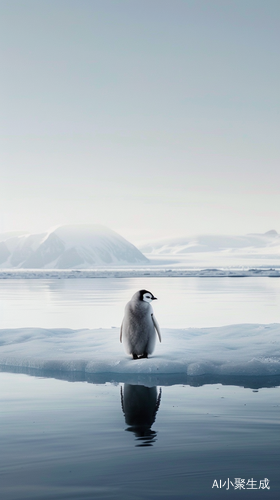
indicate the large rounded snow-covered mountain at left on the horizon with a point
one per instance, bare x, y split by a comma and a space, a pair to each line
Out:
71, 246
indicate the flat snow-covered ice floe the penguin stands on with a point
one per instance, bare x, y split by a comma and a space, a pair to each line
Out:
248, 349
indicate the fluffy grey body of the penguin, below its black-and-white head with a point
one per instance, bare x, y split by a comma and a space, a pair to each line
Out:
139, 335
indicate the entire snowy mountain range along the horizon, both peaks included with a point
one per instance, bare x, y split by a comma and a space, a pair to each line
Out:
88, 246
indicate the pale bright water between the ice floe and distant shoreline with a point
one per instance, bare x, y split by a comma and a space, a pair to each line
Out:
99, 303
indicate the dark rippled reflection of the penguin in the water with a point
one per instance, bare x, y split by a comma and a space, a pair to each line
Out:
140, 405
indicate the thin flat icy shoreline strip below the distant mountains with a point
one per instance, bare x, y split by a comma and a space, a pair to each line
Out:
273, 272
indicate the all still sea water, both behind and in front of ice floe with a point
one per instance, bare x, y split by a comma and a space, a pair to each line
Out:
81, 441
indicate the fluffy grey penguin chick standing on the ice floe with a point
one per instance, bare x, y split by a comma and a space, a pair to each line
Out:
139, 326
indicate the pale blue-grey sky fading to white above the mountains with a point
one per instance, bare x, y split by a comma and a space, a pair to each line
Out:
156, 118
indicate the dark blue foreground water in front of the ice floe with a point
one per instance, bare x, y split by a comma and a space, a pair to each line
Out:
63, 440
